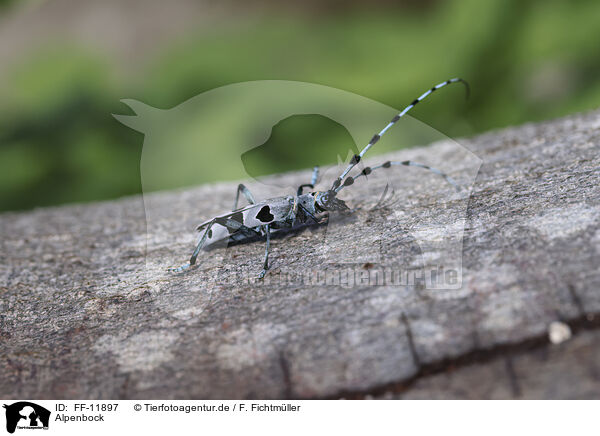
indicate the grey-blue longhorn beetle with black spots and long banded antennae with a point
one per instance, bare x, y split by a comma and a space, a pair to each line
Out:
273, 214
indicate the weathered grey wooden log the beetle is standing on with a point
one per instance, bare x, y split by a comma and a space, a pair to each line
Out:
87, 312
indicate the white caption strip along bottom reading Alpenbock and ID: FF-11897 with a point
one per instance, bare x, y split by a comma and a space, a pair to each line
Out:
250, 417
